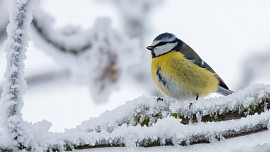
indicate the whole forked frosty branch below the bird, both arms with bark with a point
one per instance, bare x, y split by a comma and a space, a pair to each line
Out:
146, 122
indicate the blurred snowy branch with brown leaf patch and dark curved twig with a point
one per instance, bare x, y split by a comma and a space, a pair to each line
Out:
98, 56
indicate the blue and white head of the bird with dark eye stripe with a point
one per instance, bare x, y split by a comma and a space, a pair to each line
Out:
163, 44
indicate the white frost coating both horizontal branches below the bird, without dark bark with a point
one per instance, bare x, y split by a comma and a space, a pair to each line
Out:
118, 127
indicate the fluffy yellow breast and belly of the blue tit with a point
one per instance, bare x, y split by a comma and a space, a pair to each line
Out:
182, 75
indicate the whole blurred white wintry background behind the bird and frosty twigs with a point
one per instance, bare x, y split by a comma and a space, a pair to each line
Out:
89, 56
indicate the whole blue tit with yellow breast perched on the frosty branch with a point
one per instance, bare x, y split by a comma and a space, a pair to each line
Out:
179, 72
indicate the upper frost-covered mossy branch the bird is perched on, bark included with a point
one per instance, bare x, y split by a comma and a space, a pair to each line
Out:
146, 110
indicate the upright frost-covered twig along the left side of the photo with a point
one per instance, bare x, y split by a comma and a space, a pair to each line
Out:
14, 85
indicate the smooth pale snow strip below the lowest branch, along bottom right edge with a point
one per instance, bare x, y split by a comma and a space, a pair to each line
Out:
250, 143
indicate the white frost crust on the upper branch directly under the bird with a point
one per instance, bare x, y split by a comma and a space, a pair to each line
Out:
148, 107
